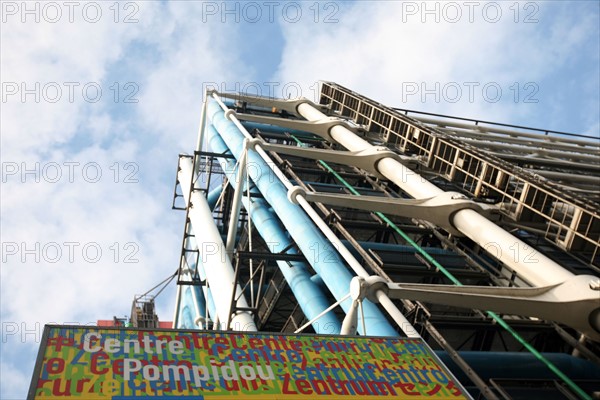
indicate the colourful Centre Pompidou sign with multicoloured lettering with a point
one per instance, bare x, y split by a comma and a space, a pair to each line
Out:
127, 364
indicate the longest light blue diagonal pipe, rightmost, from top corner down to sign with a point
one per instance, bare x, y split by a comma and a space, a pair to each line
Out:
316, 248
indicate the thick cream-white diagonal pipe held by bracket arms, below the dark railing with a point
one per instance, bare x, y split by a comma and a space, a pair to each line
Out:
531, 266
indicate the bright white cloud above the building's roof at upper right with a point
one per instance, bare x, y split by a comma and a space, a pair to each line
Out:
382, 50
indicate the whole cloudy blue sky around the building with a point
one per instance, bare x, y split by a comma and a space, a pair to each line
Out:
100, 97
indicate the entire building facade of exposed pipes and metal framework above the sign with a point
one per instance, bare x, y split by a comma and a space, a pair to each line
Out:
287, 202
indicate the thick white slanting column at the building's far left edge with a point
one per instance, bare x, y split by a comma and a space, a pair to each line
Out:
219, 271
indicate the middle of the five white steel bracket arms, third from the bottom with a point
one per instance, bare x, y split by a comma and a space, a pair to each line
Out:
365, 159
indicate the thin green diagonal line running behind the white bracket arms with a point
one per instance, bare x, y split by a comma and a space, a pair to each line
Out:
453, 279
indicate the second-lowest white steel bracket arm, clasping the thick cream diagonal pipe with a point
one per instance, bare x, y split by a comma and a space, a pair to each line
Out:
439, 209
